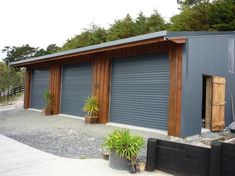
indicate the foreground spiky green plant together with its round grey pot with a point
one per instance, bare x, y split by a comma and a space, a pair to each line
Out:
124, 149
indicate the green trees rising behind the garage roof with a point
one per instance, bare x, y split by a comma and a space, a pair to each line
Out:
195, 15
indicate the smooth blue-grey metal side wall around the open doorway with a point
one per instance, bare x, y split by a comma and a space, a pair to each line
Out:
205, 55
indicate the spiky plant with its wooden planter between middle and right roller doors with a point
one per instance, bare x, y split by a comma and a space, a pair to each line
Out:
91, 107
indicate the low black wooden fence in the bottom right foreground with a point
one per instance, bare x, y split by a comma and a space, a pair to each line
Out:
185, 159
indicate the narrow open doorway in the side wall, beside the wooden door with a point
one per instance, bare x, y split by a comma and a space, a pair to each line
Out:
206, 101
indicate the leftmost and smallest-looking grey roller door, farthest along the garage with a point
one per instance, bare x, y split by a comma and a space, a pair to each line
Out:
40, 83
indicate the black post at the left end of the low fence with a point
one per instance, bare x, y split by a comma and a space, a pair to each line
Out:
151, 154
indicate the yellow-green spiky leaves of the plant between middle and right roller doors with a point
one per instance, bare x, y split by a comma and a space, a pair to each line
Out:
91, 106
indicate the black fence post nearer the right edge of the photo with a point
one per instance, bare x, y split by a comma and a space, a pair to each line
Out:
215, 159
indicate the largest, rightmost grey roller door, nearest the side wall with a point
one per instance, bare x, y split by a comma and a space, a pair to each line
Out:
140, 91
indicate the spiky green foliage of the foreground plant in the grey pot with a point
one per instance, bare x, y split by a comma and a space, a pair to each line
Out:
124, 144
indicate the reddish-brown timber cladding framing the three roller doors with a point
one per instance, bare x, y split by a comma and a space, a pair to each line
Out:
101, 63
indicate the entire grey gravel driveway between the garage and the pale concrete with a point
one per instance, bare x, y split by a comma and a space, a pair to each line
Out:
58, 135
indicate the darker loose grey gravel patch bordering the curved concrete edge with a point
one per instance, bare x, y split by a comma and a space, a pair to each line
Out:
63, 142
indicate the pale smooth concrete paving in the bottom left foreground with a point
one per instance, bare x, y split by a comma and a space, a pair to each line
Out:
19, 159
